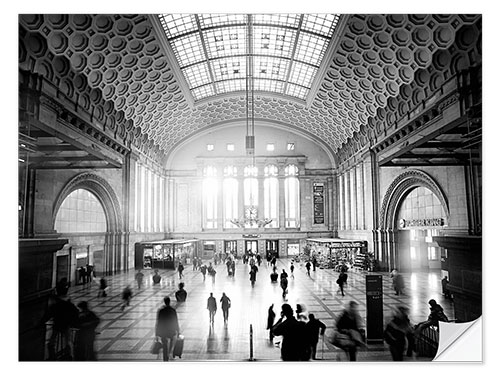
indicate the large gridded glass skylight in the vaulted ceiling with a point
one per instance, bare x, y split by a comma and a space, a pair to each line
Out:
212, 50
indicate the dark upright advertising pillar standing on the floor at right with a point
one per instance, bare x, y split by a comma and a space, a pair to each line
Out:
374, 309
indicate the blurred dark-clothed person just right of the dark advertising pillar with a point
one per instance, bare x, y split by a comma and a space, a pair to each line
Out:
398, 334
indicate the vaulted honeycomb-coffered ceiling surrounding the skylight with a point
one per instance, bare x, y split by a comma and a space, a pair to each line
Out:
130, 65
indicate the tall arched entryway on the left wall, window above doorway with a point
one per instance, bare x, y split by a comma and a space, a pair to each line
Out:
98, 238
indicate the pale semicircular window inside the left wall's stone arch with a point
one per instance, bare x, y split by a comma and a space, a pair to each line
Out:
81, 212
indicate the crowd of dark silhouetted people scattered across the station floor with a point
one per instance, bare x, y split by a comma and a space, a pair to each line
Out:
299, 333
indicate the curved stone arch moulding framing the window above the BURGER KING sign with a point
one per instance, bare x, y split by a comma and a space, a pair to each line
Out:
398, 190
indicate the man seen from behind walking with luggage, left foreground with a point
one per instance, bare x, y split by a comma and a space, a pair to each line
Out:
167, 328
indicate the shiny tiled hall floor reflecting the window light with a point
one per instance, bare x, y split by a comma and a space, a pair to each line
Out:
128, 335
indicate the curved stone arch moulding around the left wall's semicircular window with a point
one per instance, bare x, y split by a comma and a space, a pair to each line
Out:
102, 190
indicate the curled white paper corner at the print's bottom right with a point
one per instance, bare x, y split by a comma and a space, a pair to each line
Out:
460, 342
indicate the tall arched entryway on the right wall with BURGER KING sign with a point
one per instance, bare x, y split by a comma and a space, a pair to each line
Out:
414, 209
